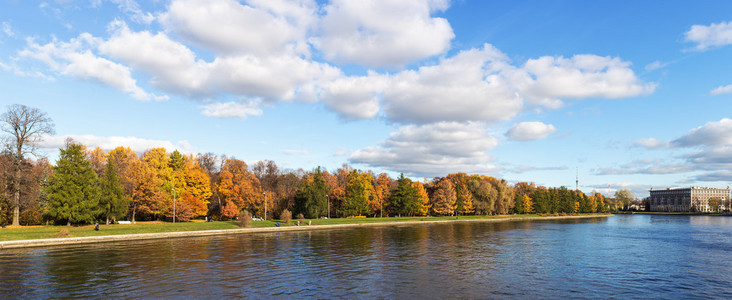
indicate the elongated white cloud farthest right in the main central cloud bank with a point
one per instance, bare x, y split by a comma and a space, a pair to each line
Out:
550, 79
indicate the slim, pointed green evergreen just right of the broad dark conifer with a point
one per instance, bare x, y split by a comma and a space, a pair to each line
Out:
114, 203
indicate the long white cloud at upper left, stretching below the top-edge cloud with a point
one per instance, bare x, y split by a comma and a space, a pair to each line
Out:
176, 69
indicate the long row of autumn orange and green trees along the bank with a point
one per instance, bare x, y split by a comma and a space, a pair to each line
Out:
91, 185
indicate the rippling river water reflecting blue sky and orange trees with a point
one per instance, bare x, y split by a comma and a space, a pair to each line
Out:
626, 256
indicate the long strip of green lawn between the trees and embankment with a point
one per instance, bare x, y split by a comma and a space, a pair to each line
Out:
45, 232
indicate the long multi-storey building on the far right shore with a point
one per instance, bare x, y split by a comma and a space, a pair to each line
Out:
691, 199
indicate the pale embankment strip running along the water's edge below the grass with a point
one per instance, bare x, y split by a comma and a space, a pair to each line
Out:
202, 233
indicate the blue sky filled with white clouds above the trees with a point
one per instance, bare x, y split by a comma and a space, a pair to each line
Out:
621, 94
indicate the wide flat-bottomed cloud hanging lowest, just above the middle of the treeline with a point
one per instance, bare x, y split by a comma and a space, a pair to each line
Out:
432, 150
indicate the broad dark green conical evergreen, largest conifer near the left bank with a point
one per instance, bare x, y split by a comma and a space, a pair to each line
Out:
73, 190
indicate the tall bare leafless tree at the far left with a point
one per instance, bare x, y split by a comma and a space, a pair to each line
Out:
25, 127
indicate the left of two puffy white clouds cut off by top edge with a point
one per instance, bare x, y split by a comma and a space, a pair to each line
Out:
227, 26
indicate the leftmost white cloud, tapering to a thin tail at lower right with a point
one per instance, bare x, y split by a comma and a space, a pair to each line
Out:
75, 58
